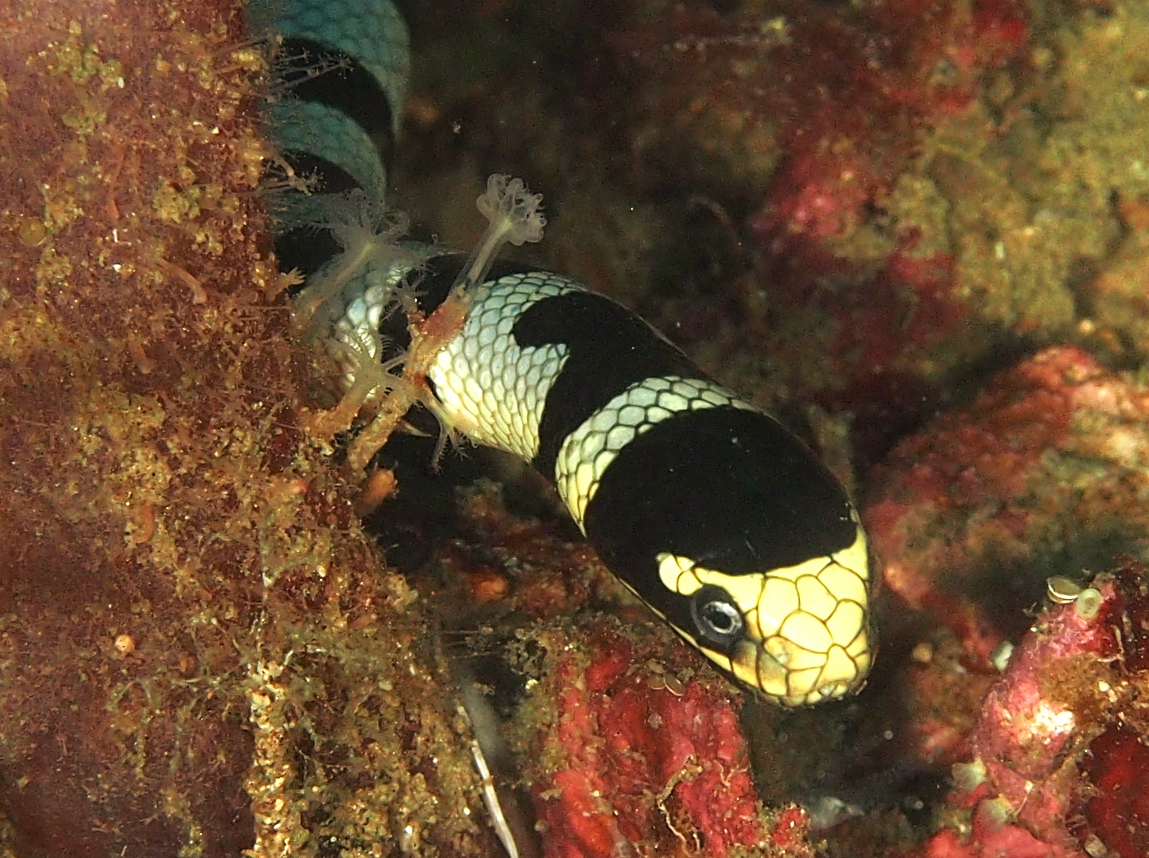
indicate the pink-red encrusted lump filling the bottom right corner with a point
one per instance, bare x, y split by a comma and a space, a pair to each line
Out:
1058, 768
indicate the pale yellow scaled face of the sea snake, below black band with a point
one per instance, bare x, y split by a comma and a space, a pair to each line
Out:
807, 637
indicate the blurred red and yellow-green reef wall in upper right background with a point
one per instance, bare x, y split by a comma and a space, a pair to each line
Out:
903, 205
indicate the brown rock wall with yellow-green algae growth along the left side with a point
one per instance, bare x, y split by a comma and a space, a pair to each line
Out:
201, 653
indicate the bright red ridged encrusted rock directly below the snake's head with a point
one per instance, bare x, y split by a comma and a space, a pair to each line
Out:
646, 764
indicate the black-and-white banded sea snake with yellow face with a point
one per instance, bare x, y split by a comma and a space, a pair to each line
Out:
713, 513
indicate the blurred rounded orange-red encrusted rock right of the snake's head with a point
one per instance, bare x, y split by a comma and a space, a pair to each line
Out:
1051, 458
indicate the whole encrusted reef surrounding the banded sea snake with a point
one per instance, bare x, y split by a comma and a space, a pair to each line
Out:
875, 207
